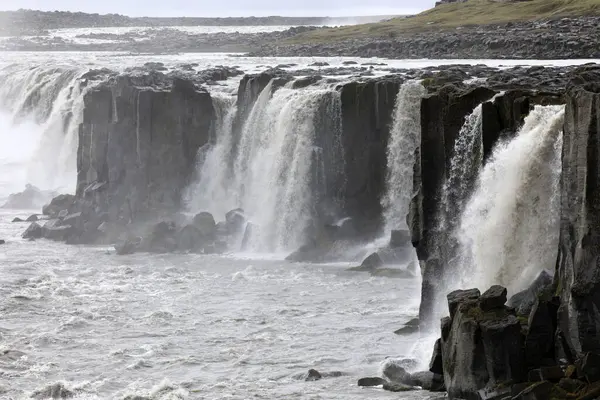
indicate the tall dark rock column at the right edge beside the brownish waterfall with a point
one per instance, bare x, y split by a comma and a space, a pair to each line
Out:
578, 270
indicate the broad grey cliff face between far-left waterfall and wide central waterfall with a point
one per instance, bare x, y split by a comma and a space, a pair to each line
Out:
138, 143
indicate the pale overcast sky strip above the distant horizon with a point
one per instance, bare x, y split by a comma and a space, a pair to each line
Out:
216, 8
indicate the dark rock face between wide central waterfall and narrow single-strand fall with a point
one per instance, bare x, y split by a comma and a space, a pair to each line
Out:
367, 115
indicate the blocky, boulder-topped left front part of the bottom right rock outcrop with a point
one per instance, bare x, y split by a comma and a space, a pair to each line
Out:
481, 344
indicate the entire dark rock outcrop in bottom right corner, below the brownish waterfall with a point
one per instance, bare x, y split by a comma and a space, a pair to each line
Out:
489, 351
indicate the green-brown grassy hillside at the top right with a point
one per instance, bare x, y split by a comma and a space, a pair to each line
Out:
448, 16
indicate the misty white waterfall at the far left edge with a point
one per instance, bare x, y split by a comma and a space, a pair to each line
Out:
45, 105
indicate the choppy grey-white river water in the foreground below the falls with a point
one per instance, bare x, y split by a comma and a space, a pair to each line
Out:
185, 326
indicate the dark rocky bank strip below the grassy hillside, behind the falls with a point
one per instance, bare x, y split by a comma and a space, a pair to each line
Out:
566, 38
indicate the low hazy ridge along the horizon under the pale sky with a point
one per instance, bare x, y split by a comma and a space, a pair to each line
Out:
22, 21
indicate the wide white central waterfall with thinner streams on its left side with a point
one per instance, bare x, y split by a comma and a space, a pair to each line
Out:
279, 169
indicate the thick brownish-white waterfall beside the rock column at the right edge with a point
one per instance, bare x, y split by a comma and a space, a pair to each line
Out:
508, 231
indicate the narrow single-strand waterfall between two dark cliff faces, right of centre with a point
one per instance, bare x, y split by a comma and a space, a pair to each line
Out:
405, 138
